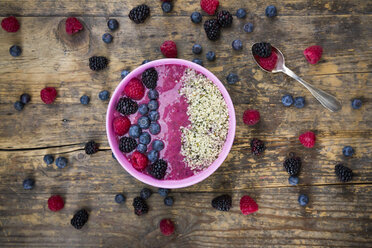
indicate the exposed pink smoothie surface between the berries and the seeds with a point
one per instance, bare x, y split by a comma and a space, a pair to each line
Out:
172, 110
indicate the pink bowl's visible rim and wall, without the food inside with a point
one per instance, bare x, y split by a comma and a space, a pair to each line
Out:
169, 184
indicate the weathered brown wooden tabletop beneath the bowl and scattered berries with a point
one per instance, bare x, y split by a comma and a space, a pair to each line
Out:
338, 215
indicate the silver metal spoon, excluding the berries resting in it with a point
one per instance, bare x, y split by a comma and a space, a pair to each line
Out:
328, 101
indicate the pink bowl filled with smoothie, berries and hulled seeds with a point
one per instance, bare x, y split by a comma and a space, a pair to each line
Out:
170, 123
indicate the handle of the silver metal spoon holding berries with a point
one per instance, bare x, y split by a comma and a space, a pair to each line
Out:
327, 100
